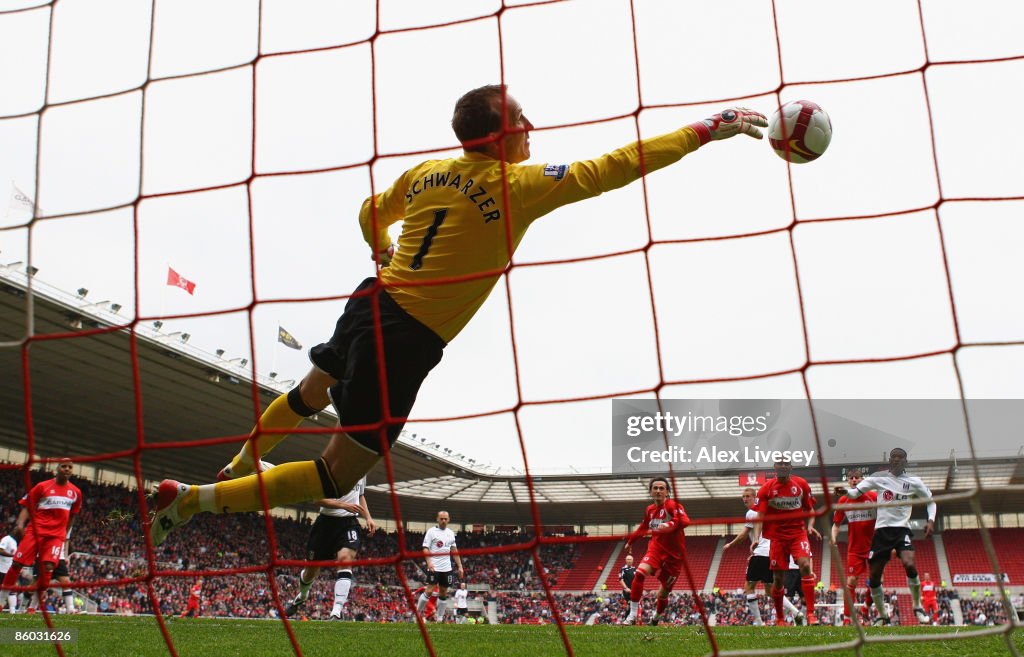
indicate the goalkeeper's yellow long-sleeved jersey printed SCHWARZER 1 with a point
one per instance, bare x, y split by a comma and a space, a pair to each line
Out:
455, 221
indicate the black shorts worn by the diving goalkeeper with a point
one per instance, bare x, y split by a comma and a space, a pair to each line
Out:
411, 352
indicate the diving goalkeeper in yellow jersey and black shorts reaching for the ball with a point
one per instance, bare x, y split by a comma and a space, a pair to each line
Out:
462, 221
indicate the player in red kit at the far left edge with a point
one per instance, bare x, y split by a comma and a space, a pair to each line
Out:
51, 505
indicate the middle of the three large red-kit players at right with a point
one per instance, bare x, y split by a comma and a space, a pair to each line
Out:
782, 505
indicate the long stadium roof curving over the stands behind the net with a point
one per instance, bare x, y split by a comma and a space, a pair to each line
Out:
83, 404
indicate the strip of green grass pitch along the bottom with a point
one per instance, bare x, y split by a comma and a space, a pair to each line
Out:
140, 637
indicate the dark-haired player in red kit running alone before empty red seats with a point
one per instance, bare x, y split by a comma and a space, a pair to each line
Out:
665, 521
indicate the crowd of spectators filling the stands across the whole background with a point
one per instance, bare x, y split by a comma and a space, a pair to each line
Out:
108, 545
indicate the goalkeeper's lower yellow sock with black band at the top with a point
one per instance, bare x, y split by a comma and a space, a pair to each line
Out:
286, 485
